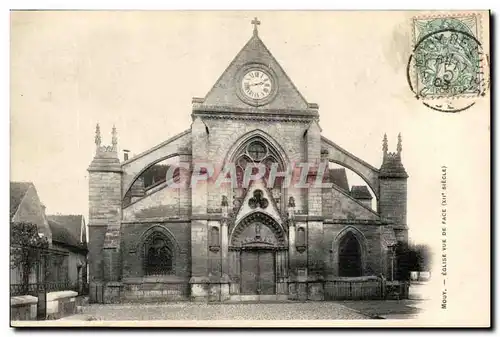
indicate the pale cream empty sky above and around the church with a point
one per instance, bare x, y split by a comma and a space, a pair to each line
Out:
140, 70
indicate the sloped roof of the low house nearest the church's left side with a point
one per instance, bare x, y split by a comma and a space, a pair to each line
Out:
67, 225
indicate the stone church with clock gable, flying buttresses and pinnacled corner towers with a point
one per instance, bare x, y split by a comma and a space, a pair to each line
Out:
149, 240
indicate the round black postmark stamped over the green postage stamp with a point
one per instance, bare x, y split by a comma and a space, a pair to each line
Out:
447, 69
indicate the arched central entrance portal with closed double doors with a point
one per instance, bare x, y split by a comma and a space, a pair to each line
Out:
258, 256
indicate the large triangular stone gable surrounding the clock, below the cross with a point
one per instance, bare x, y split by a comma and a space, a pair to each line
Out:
224, 92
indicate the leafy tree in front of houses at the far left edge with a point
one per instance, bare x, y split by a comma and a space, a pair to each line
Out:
26, 249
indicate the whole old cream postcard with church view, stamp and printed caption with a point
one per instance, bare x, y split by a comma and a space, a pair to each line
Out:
260, 168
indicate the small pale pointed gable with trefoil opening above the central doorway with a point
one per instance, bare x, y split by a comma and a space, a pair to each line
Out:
248, 206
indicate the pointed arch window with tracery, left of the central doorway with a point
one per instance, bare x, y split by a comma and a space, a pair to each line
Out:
158, 255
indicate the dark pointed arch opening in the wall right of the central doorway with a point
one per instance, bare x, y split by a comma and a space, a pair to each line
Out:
350, 256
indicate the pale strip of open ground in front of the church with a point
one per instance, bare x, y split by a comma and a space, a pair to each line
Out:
402, 309
